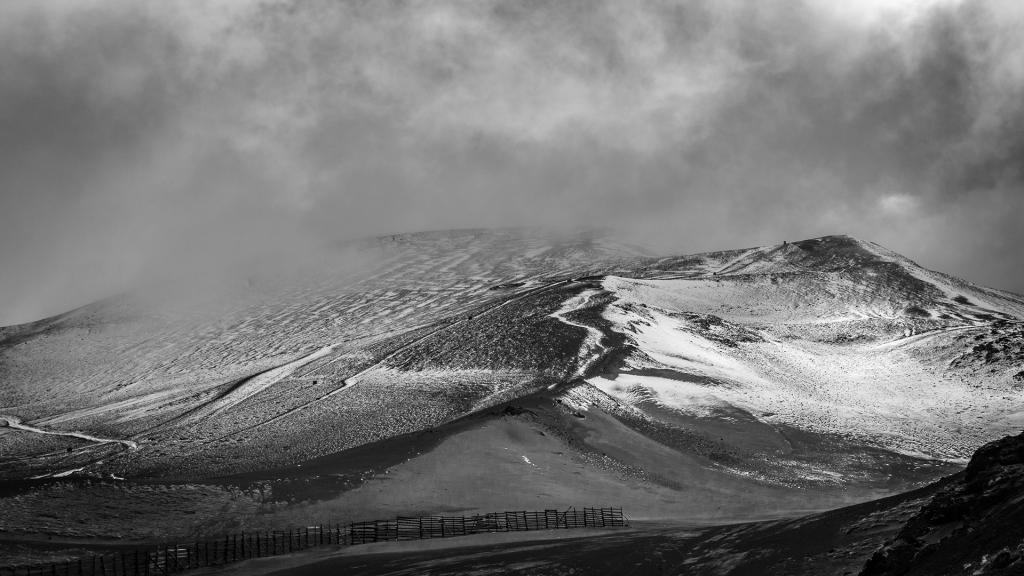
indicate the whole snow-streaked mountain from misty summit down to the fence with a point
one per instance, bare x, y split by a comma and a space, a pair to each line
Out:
476, 372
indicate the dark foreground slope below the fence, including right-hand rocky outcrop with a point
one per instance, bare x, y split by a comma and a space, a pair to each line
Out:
969, 523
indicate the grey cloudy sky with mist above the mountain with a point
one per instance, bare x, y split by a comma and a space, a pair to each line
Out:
139, 137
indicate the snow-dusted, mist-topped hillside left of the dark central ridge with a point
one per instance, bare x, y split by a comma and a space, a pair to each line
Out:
240, 381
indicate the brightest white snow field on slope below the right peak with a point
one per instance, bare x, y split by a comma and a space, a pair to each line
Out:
883, 396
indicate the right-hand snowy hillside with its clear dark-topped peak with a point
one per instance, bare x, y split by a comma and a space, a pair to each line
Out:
832, 336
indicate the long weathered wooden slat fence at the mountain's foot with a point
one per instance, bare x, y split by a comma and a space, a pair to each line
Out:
236, 548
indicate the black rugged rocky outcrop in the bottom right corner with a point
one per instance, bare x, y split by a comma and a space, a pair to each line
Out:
975, 526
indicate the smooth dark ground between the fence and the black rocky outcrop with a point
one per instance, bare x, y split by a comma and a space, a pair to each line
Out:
836, 543
